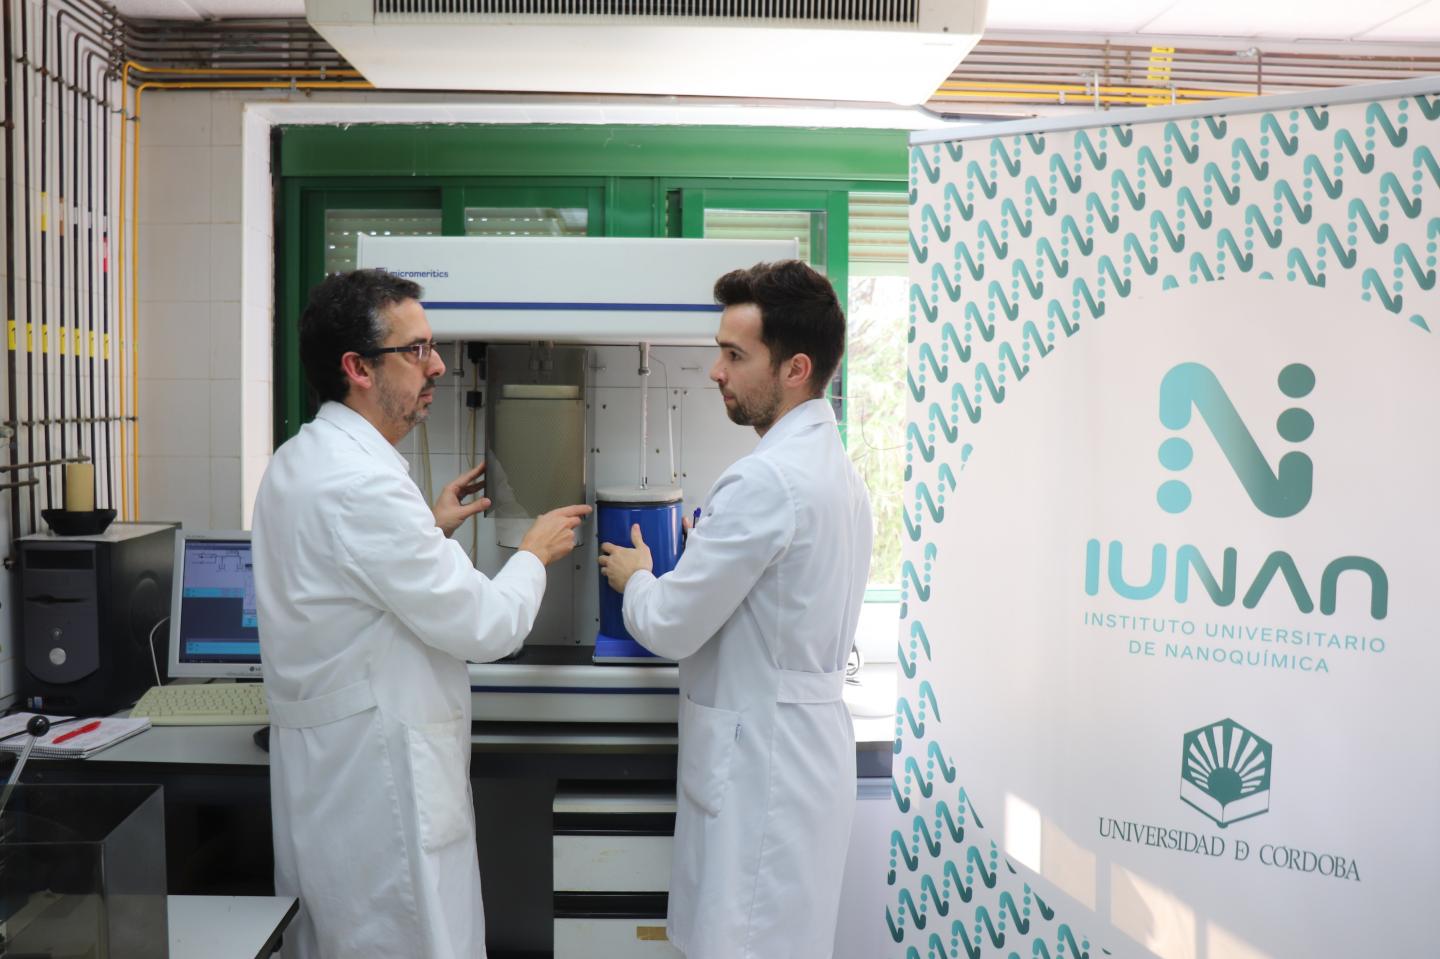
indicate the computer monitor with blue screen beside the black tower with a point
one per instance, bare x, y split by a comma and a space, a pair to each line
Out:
214, 630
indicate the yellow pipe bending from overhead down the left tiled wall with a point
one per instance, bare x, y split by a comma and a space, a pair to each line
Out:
133, 500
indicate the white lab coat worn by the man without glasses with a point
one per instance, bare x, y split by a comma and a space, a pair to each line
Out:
761, 614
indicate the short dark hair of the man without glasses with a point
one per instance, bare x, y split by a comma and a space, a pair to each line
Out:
800, 313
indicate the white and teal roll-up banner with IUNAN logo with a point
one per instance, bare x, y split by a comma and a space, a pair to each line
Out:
1171, 595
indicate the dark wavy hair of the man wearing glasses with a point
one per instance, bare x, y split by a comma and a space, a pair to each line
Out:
343, 316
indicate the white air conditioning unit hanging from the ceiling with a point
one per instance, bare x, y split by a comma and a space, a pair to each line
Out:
885, 51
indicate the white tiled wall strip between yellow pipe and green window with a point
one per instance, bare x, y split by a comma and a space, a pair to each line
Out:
205, 310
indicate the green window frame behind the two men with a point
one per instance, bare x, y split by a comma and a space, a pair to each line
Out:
633, 181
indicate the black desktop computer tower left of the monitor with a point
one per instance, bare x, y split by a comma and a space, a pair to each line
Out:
87, 610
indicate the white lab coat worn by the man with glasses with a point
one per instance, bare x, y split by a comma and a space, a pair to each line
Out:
368, 616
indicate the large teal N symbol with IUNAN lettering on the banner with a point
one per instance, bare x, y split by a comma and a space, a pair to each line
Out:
1281, 493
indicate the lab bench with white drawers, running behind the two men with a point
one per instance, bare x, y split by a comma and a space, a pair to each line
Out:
545, 741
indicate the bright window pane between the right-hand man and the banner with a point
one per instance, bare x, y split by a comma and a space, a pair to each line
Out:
875, 408
